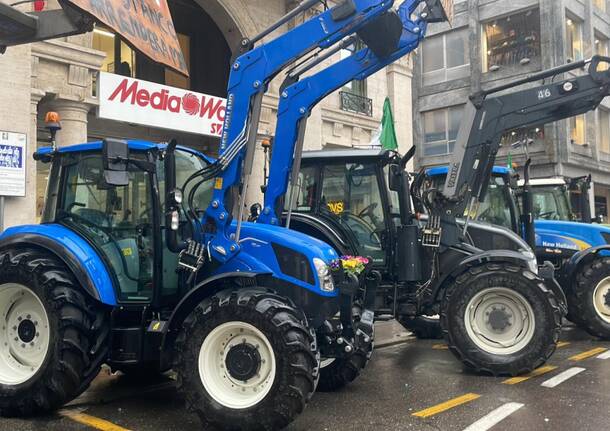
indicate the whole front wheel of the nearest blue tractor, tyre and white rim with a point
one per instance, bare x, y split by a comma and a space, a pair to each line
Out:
246, 360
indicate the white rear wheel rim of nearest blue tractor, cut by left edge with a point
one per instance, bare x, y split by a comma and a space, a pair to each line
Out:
24, 334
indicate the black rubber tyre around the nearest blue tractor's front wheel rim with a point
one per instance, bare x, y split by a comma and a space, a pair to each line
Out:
294, 347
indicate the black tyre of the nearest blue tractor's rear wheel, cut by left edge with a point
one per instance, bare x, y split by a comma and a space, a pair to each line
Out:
78, 327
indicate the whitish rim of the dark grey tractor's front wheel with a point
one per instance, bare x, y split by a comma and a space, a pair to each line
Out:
500, 321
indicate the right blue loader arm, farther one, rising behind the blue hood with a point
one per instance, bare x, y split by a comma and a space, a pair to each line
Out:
389, 37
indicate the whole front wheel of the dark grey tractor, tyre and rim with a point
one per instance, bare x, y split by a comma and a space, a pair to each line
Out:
501, 319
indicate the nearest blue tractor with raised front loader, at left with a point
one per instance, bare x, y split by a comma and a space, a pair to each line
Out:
121, 272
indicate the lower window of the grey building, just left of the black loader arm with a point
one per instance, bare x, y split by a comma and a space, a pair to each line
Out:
440, 130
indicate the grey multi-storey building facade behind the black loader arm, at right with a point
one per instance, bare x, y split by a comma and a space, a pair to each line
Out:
493, 42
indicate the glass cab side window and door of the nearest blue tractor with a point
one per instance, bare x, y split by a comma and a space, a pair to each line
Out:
117, 220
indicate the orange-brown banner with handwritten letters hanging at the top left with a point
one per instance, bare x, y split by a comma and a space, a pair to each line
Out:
145, 24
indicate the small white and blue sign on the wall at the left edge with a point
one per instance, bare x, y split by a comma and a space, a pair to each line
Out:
13, 147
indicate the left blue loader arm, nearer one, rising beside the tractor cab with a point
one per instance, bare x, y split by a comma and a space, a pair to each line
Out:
250, 75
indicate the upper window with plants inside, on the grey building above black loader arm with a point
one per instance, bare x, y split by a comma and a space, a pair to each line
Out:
511, 41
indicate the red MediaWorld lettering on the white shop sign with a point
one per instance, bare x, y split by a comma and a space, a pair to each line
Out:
189, 103
